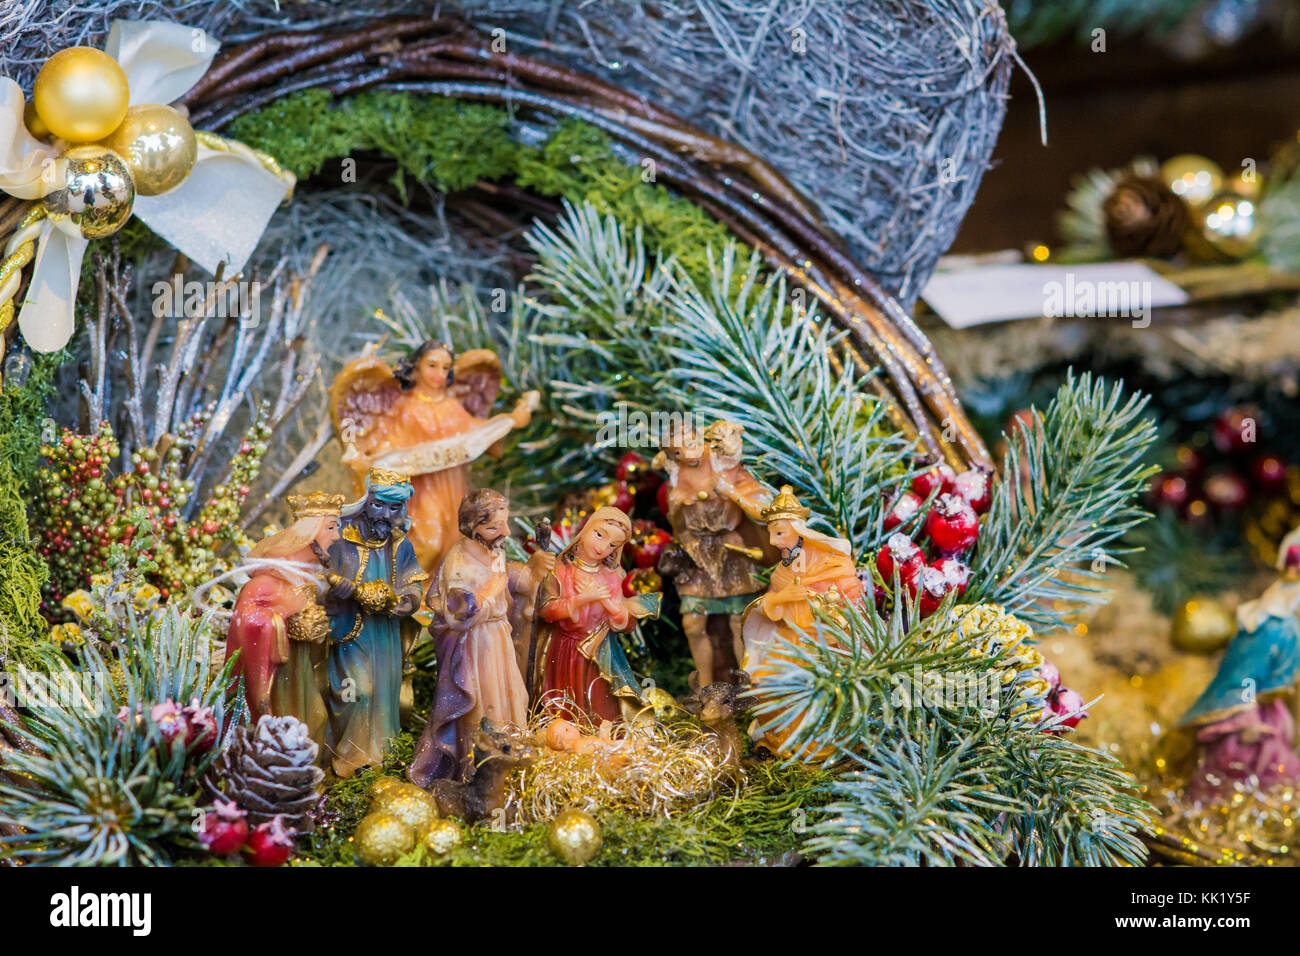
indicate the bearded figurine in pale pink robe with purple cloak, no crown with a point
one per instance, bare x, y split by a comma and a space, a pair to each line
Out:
479, 677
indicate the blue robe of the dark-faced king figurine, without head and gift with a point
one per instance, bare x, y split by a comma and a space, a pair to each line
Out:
367, 650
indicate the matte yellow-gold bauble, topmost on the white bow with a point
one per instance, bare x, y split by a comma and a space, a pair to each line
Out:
81, 94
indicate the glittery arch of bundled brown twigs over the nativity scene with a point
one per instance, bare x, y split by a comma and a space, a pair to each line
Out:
744, 192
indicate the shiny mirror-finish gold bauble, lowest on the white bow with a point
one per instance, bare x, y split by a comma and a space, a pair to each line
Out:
96, 191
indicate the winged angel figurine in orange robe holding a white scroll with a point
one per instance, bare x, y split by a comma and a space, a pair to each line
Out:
426, 418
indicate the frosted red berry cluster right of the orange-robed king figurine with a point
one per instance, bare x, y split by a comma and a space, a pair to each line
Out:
948, 529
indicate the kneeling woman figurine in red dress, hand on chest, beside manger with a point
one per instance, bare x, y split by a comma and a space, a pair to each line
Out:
578, 667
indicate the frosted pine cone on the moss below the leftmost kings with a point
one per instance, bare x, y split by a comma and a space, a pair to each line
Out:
271, 769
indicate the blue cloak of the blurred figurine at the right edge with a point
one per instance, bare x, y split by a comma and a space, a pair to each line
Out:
1259, 663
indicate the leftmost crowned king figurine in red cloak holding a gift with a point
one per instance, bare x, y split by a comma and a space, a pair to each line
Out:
279, 629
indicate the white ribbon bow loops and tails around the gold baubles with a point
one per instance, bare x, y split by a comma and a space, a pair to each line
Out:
216, 217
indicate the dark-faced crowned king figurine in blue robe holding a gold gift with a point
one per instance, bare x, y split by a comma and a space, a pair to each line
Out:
375, 587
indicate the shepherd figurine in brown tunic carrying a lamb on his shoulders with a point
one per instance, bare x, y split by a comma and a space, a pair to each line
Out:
714, 511
